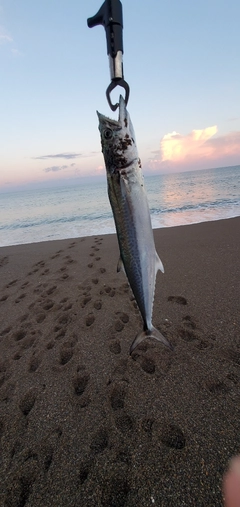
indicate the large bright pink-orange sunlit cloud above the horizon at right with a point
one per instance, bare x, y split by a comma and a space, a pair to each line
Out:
199, 149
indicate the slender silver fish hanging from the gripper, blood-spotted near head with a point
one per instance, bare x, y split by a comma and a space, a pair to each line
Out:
127, 195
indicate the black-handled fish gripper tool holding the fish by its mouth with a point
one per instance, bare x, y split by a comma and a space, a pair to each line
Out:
110, 16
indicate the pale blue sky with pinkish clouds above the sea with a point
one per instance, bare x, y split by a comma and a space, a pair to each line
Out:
181, 61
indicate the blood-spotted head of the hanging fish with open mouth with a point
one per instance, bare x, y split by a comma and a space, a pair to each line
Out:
118, 139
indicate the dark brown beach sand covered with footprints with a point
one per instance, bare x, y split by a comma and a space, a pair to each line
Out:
84, 424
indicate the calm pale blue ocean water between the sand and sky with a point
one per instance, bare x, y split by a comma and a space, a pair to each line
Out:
29, 216
